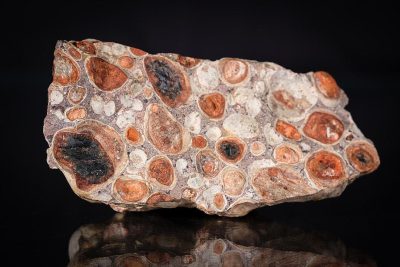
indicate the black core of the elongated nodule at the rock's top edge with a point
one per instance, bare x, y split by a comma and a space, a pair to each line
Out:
167, 80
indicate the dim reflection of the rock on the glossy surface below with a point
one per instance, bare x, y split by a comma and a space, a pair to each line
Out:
153, 240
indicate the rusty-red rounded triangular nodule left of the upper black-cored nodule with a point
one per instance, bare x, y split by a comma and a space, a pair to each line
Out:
104, 75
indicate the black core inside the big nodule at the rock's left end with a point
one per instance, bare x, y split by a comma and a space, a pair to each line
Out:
87, 158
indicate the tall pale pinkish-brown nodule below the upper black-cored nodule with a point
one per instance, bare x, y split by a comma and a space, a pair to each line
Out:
163, 131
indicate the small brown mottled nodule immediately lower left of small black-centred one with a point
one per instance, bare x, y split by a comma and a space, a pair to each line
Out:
207, 163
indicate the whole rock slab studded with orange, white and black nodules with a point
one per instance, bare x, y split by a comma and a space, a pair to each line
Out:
138, 131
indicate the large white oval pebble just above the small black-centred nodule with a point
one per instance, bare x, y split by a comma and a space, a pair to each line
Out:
241, 125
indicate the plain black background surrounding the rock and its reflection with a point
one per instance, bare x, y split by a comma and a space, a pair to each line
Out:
356, 43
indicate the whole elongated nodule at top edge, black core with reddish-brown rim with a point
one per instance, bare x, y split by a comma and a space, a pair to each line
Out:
168, 79
